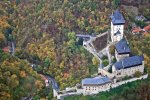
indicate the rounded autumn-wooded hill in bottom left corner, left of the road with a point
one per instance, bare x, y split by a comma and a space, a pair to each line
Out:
17, 79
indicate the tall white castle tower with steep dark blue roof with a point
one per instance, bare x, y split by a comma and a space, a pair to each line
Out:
117, 26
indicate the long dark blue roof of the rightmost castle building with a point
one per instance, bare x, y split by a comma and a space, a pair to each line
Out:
129, 62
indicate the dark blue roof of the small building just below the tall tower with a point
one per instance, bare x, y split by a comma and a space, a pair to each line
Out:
122, 47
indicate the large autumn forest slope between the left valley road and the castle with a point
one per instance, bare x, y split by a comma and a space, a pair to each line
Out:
45, 35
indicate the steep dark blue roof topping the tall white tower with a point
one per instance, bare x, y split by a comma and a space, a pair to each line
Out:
117, 18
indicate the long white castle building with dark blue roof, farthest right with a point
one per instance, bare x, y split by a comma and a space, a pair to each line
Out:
128, 66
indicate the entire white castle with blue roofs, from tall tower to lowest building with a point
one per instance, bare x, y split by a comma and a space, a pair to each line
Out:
126, 65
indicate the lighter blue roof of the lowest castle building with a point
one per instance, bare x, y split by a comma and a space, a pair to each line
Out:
96, 81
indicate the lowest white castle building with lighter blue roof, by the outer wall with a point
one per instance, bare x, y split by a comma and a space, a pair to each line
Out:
95, 85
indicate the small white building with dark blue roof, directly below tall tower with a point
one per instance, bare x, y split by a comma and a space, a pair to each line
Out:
122, 49
